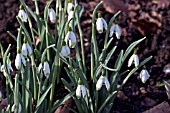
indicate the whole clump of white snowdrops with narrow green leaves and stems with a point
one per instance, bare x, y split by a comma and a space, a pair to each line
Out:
38, 64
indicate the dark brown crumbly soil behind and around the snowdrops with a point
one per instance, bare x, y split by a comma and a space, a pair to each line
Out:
142, 18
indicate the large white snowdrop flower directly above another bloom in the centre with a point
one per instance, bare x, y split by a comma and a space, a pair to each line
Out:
71, 38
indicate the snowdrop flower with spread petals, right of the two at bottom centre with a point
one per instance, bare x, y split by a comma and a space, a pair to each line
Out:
103, 80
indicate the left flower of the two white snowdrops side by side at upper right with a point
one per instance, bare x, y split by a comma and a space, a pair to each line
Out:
100, 23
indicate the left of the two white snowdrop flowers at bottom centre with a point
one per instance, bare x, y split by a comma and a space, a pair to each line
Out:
81, 90
